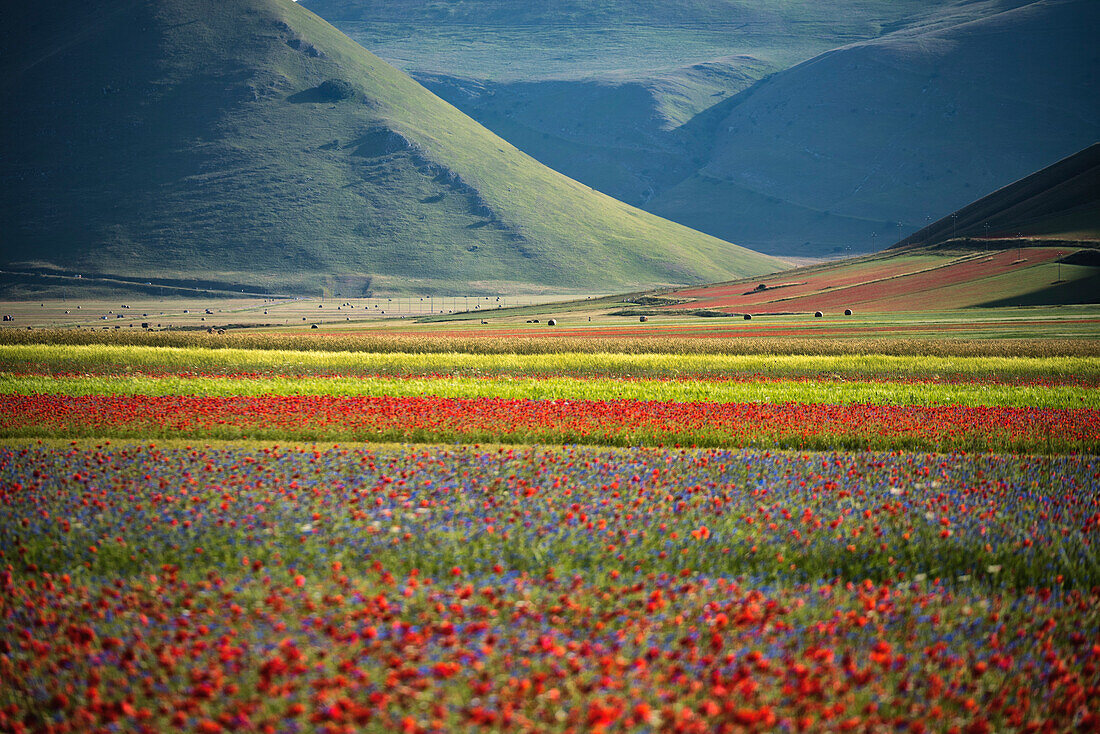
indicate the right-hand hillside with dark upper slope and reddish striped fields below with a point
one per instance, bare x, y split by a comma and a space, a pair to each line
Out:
1035, 243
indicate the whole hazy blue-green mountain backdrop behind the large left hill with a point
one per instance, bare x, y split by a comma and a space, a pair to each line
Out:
798, 129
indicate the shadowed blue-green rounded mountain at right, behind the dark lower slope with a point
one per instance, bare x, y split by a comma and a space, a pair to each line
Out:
837, 152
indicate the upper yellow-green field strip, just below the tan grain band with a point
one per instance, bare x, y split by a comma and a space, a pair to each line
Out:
120, 359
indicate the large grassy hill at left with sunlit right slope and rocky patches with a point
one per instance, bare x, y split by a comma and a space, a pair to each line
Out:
250, 145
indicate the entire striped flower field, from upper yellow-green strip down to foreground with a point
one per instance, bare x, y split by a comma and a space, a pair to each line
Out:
559, 543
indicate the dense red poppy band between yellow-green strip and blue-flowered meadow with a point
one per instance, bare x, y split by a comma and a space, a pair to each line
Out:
613, 423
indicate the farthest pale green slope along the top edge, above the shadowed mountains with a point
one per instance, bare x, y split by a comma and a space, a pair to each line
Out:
503, 41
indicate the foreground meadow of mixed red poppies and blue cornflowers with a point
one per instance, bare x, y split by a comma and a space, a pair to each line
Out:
438, 589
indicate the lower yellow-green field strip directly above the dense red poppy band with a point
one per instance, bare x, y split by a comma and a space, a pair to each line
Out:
571, 389
